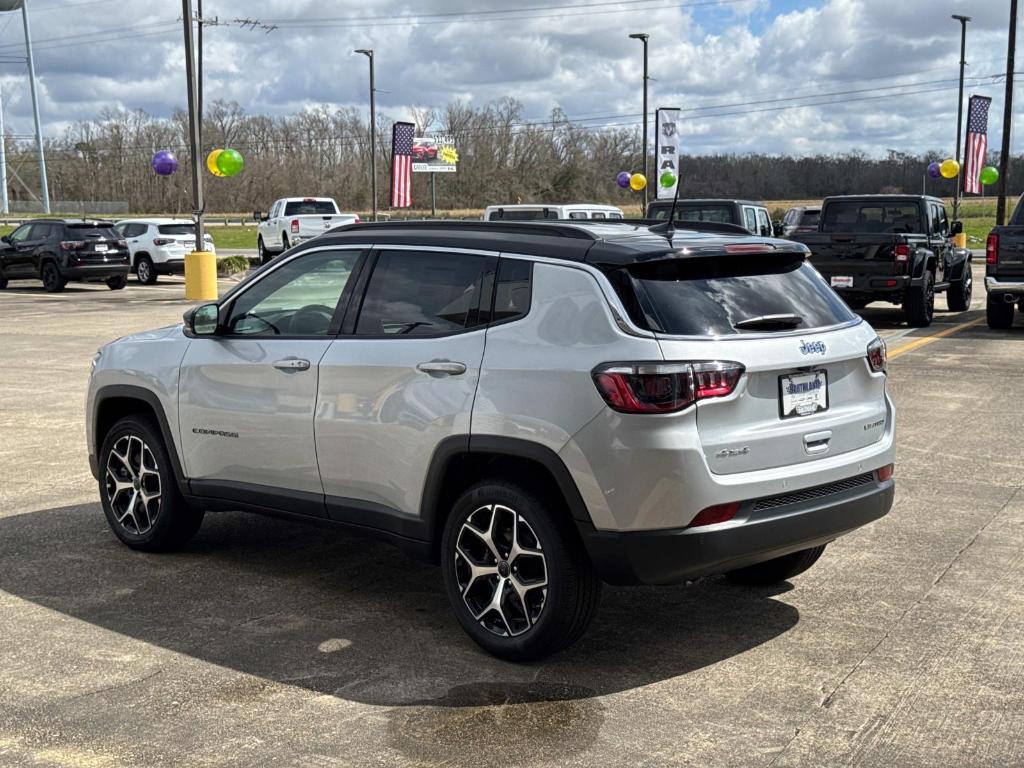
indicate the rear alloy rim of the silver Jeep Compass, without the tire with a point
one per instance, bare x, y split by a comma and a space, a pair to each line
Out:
501, 571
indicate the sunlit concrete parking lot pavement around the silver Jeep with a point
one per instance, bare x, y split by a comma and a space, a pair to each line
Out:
273, 644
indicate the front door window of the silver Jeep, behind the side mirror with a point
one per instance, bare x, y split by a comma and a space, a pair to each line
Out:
297, 300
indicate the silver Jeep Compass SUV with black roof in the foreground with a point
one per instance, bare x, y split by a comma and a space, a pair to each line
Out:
537, 407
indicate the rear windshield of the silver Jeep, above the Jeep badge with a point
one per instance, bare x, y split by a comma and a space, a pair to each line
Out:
707, 296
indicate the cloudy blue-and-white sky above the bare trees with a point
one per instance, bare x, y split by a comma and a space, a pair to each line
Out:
779, 76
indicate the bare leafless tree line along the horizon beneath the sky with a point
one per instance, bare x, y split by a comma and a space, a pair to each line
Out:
503, 158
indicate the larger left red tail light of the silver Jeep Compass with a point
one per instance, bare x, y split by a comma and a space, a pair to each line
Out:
664, 388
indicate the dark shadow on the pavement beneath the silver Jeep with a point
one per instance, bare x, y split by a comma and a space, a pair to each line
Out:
351, 618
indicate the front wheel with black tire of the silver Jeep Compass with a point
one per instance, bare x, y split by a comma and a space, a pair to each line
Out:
134, 460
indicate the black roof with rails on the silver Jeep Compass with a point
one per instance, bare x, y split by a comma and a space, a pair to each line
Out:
608, 243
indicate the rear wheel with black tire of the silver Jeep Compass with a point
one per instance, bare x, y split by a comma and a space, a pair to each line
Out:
560, 589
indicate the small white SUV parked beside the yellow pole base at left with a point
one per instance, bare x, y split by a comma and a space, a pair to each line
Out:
159, 246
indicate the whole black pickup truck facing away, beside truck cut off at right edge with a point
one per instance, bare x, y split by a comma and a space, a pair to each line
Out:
895, 248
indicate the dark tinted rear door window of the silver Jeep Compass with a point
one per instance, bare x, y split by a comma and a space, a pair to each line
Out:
417, 294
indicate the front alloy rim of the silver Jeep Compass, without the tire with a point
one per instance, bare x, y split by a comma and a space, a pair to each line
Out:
134, 485
